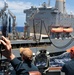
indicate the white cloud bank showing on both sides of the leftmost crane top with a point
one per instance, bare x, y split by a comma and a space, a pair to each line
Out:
16, 6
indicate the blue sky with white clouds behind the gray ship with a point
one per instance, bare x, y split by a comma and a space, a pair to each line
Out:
18, 6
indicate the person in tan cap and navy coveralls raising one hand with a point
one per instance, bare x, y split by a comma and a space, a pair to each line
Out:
21, 68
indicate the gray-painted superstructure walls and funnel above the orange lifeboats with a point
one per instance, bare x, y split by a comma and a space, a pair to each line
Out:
50, 16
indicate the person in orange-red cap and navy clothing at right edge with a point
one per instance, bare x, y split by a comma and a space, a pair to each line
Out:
68, 68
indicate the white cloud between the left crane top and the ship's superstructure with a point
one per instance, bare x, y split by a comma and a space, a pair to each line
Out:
18, 6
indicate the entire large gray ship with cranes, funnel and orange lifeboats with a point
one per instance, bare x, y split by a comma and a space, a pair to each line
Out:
46, 27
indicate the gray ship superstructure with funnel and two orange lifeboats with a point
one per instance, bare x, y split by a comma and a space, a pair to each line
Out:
54, 21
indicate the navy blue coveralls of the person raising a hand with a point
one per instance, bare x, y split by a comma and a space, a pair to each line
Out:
22, 68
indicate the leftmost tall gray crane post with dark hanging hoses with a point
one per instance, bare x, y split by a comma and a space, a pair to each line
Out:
3, 17
